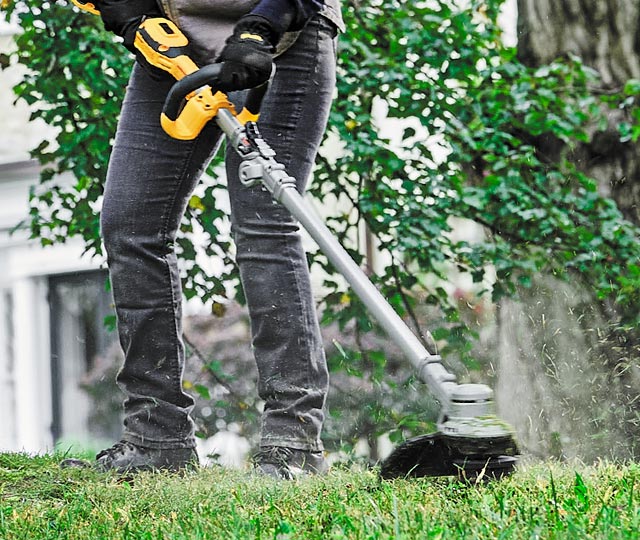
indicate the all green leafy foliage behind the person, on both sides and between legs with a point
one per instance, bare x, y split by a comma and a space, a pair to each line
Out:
471, 117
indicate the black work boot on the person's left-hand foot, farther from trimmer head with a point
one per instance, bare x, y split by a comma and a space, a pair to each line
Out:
126, 457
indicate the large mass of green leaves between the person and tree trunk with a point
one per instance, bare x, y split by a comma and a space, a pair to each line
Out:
477, 104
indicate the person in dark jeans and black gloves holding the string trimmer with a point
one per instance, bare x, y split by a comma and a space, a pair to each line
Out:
149, 182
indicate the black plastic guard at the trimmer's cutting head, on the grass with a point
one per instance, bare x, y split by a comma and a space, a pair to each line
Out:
435, 455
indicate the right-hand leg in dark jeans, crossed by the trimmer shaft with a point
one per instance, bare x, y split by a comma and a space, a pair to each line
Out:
293, 377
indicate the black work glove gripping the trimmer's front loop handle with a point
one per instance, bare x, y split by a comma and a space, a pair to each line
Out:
247, 57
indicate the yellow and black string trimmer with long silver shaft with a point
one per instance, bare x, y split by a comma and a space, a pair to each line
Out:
471, 442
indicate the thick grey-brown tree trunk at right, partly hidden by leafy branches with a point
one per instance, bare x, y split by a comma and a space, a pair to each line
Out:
568, 380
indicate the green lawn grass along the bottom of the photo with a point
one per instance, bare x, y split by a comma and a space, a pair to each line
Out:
39, 500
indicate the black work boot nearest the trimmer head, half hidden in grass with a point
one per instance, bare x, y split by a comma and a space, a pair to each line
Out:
288, 463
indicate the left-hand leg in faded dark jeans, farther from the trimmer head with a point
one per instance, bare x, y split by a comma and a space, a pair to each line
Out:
149, 182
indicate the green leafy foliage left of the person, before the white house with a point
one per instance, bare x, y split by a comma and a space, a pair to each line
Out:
75, 82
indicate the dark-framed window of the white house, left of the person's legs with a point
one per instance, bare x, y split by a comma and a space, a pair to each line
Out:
84, 359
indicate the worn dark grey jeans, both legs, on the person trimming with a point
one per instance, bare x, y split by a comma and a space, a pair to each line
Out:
151, 177
